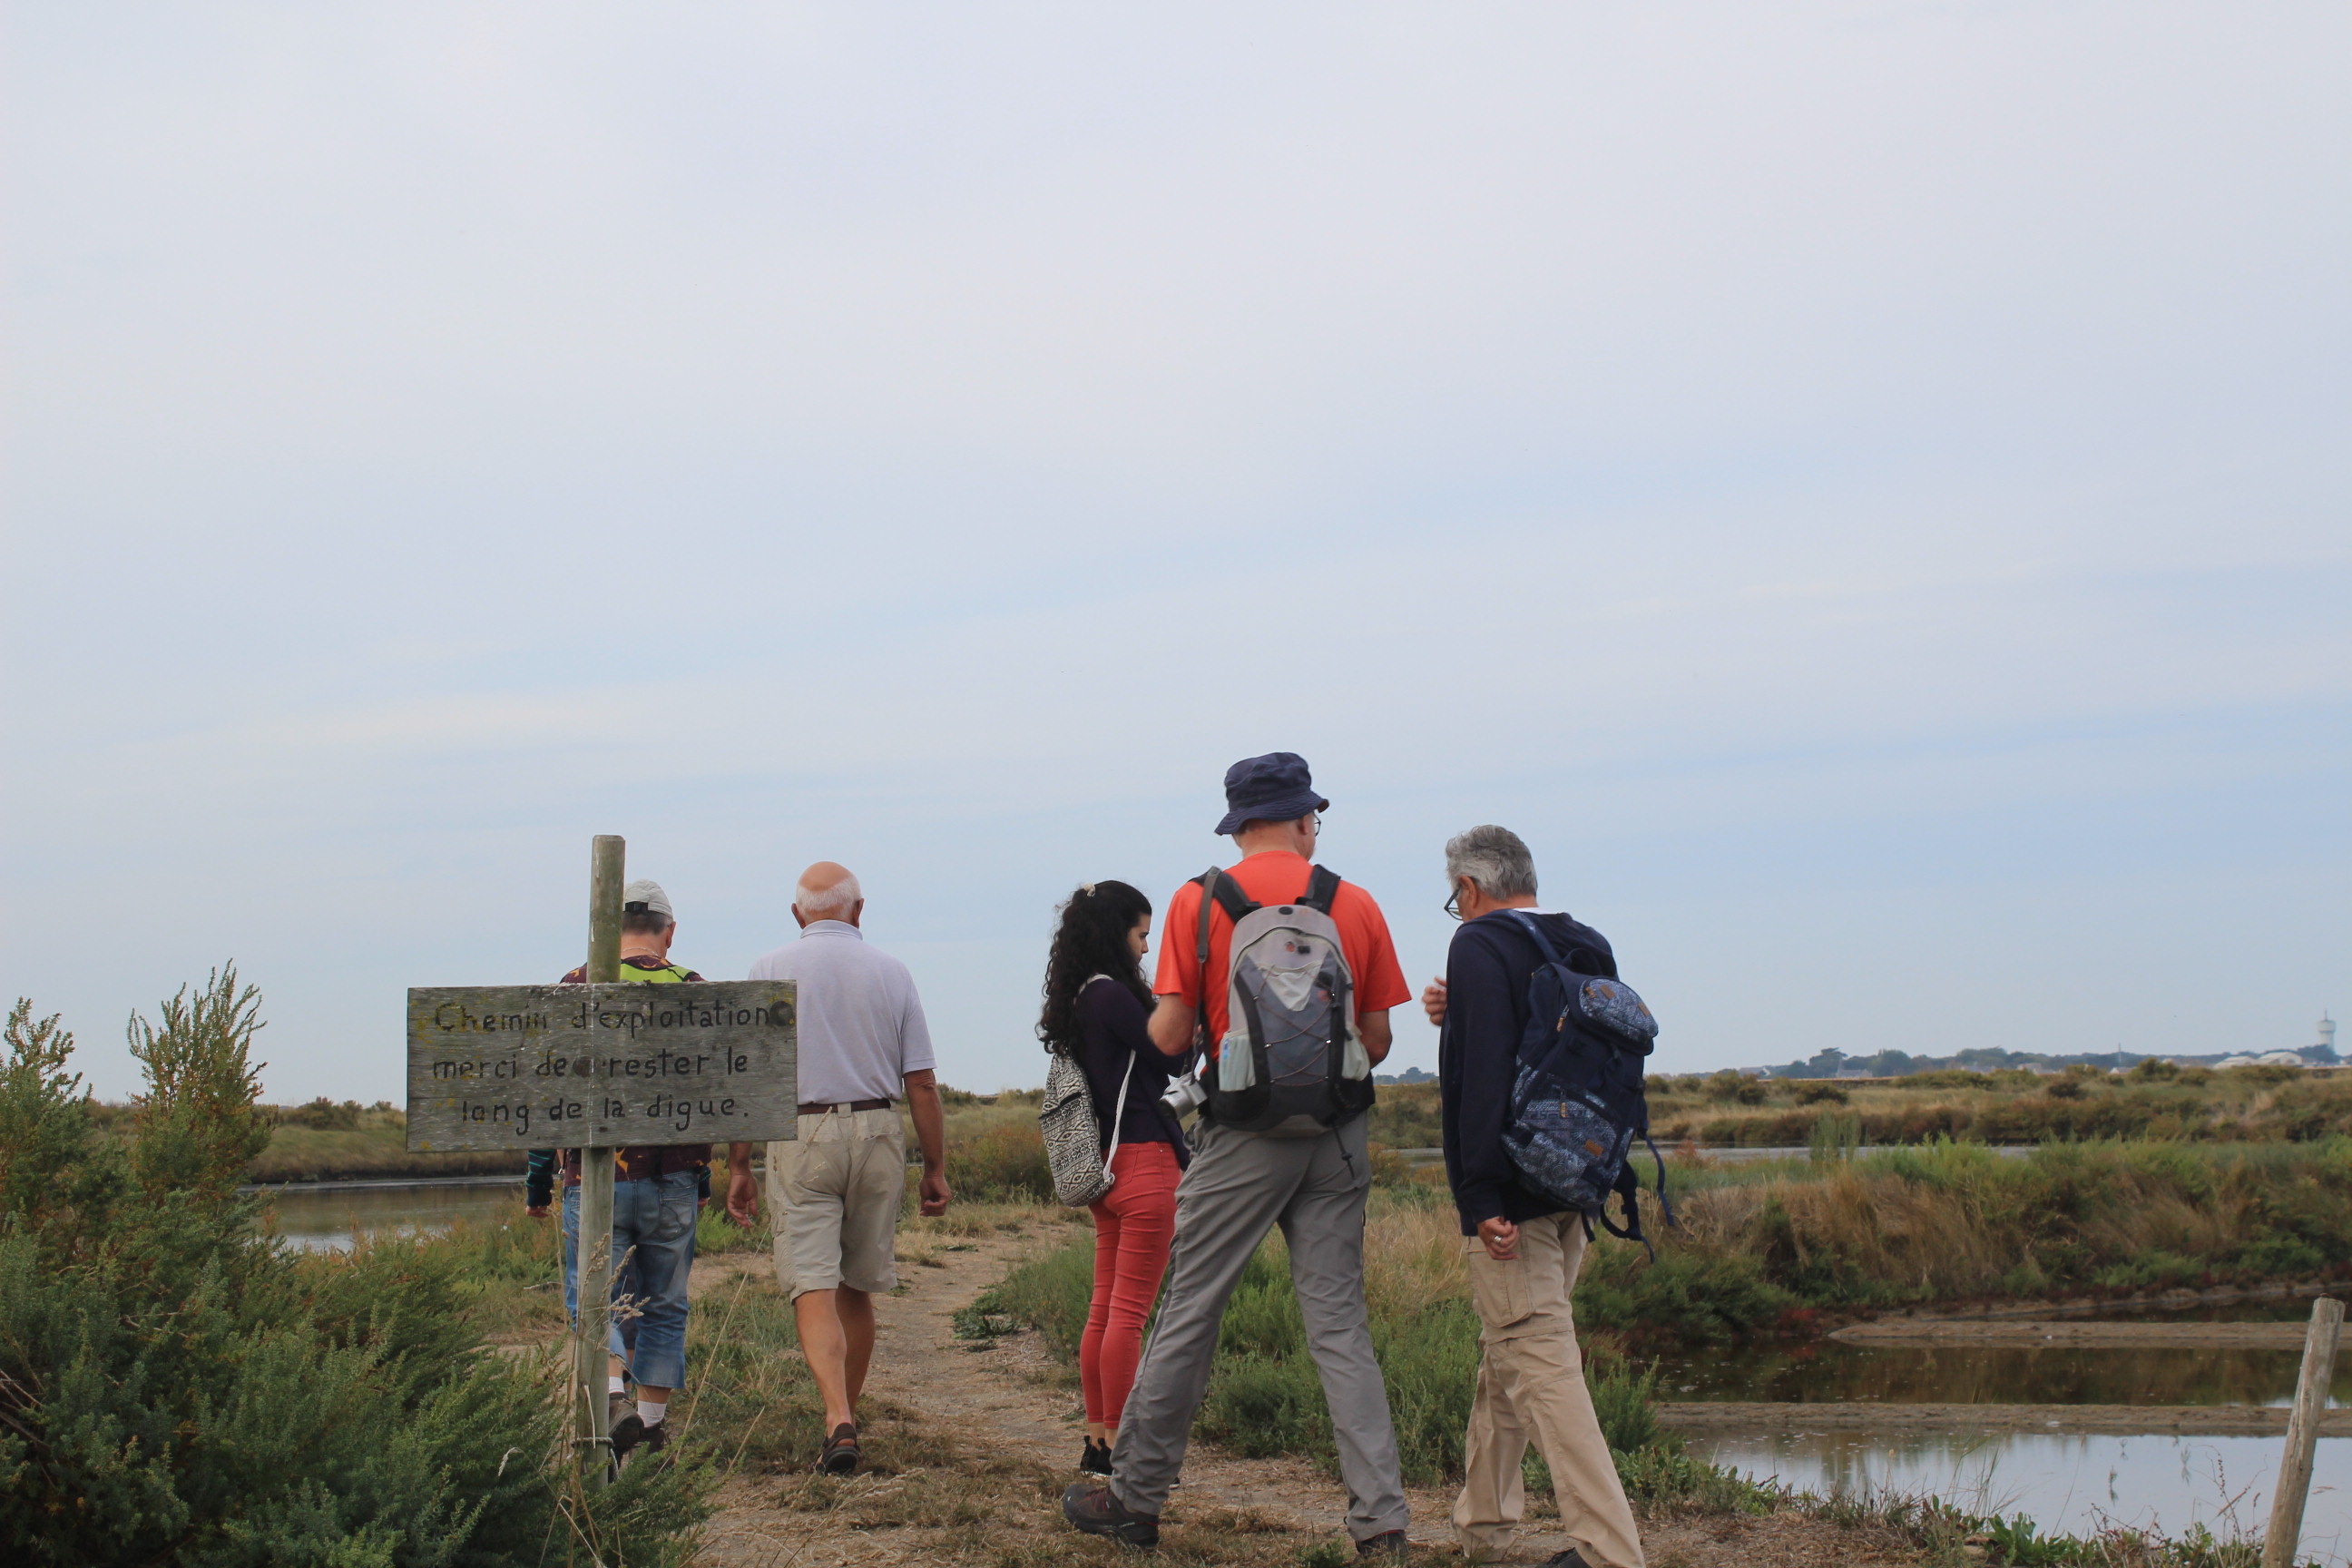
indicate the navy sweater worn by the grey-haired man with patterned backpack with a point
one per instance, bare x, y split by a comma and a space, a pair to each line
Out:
1478, 1054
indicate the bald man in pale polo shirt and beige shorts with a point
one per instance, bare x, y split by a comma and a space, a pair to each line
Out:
836, 1193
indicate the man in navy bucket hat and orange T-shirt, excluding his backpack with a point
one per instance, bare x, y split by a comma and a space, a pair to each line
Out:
1245, 1184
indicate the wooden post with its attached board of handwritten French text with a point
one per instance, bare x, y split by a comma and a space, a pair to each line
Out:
599, 1068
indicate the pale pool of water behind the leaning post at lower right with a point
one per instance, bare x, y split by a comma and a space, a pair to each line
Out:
2066, 1485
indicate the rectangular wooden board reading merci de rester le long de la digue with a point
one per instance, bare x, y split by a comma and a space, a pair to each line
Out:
601, 1066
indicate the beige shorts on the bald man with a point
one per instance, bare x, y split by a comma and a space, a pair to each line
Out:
834, 1198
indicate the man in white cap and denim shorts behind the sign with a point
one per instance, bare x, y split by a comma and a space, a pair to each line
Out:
655, 1205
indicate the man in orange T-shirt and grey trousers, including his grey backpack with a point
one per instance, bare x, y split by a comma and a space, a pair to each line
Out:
1309, 1174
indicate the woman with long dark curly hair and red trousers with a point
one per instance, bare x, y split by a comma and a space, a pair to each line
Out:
1095, 1010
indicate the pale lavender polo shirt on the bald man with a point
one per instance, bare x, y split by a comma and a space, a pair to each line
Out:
862, 1026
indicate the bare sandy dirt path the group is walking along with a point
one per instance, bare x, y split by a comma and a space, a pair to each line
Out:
1020, 1409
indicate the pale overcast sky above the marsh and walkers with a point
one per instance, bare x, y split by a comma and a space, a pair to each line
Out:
1859, 488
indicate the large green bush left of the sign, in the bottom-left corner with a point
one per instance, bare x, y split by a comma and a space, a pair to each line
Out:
182, 1391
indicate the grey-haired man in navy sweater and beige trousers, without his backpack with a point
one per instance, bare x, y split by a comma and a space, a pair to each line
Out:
1523, 1249
